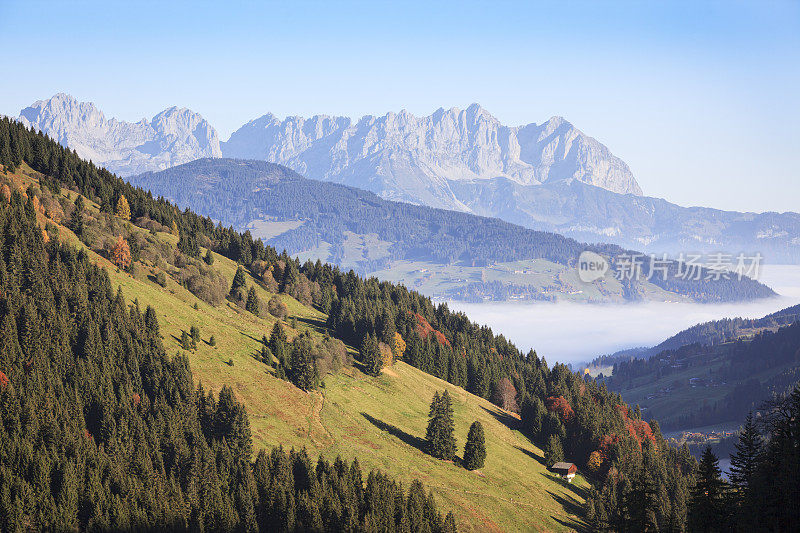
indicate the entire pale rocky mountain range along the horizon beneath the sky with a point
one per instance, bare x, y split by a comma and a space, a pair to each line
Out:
550, 177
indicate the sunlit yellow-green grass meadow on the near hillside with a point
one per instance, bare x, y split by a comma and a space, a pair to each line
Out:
381, 421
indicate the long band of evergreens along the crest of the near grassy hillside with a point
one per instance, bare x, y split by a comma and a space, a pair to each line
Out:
461, 352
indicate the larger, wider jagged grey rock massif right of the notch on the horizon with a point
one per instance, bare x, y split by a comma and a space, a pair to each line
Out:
414, 159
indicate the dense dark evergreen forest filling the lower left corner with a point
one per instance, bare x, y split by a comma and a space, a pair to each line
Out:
99, 430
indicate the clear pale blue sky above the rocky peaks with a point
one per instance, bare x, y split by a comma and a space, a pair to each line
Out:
700, 99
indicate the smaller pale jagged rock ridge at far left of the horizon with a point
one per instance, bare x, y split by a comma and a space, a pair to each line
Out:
174, 136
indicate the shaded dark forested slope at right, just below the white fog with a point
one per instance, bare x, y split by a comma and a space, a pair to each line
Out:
716, 372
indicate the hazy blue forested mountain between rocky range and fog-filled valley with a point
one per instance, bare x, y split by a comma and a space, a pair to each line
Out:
332, 219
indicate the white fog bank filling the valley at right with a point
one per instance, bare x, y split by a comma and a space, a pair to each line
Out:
573, 333
